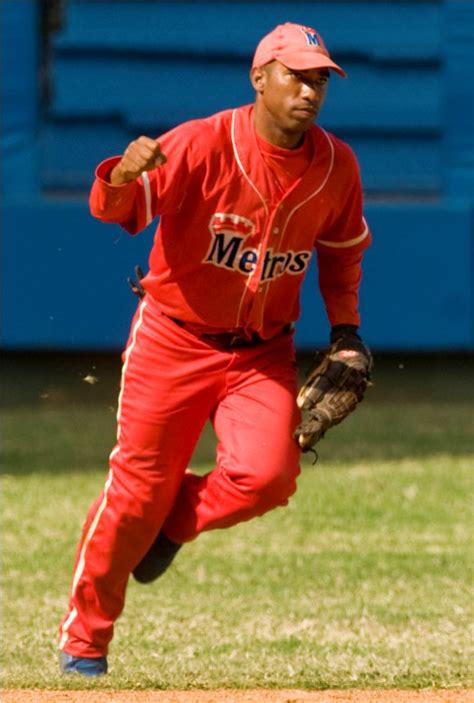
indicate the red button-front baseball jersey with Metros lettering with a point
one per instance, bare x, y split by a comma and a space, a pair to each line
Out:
231, 250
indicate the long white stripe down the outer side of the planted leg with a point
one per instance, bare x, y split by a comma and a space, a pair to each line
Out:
93, 526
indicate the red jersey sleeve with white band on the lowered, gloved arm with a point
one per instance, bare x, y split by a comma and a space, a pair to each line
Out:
341, 245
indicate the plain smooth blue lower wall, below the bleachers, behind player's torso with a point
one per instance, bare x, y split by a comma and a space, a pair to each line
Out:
65, 279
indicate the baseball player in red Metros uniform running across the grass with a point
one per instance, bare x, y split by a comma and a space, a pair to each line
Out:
244, 198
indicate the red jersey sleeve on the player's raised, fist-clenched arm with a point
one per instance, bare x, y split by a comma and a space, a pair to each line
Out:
161, 191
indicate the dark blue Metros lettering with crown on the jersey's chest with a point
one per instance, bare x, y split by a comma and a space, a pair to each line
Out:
227, 250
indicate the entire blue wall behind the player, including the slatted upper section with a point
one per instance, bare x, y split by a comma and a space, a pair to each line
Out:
121, 69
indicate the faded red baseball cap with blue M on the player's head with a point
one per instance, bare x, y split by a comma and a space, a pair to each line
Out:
295, 46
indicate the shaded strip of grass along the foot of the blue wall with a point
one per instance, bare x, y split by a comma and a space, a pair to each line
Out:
59, 412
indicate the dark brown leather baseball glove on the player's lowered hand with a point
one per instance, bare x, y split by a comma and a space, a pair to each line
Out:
335, 385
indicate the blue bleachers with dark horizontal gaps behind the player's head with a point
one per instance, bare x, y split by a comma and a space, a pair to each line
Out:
180, 71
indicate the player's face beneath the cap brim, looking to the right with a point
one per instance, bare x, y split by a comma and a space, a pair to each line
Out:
289, 100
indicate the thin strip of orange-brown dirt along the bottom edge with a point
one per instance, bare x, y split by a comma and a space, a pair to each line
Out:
228, 696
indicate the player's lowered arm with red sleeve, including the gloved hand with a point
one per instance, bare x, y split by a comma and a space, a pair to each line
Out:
340, 375
